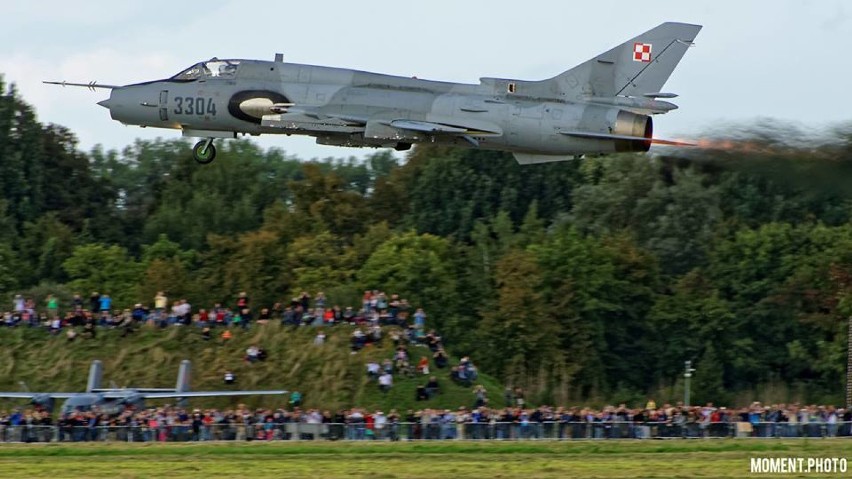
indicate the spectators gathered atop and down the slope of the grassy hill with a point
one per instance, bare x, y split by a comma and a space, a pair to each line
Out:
378, 312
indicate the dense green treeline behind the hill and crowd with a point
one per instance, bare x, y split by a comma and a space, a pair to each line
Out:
586, 280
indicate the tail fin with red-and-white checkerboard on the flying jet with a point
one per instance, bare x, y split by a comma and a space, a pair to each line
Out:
637, 67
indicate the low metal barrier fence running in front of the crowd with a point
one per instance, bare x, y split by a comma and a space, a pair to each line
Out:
420, 431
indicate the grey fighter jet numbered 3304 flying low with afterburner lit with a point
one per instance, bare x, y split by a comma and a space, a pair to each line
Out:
601, 106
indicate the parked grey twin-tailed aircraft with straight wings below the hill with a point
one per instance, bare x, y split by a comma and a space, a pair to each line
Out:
114, 400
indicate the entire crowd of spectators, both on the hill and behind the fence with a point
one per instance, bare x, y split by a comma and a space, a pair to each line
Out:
416, 352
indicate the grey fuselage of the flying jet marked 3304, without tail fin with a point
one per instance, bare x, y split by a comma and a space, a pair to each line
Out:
354, 108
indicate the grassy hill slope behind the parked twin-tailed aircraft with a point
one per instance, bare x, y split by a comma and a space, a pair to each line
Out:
328, 376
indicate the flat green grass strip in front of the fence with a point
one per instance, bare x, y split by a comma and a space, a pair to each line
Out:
456, 460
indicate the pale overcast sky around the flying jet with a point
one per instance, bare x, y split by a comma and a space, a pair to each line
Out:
785, 59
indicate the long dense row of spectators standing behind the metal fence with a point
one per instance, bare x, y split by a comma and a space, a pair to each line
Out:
479, 422
